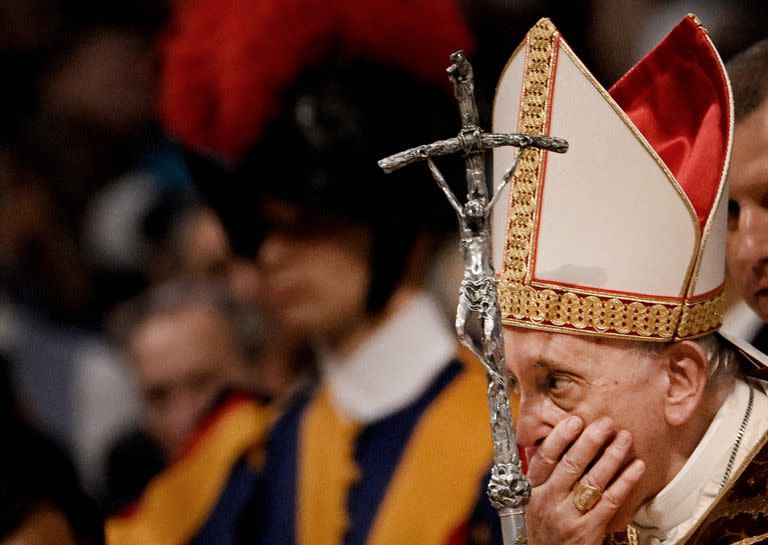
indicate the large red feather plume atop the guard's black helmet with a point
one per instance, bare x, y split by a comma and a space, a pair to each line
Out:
225, 63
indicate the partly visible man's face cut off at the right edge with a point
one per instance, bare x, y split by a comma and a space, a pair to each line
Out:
748, 211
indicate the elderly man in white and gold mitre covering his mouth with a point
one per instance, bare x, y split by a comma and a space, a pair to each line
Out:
640, 422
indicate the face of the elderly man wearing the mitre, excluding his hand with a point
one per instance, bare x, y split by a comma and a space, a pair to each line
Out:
558, 375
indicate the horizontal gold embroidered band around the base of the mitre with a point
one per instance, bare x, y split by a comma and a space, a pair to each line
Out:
565, 310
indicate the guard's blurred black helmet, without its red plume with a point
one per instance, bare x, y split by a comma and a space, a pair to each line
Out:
337, 121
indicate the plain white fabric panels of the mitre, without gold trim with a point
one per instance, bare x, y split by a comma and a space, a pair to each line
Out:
610, 216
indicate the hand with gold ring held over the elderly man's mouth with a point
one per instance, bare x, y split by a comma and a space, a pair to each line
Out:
593, 456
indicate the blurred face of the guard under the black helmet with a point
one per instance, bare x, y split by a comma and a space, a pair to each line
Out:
314, 270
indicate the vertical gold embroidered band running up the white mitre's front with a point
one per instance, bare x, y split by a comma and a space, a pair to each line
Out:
536, 93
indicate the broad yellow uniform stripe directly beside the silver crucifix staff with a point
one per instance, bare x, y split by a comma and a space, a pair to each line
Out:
436, 485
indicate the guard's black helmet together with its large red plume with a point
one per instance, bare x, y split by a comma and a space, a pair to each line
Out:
304, 108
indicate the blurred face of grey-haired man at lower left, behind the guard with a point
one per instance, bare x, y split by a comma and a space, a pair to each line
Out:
183, 361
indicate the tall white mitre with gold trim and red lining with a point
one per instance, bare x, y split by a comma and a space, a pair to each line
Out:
623, 235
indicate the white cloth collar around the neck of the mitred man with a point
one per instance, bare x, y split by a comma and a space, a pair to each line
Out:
675, 510
